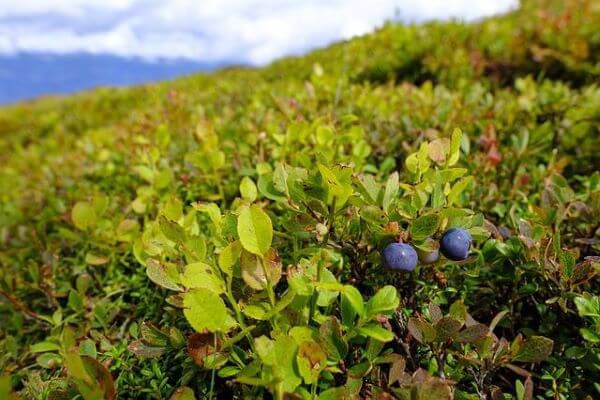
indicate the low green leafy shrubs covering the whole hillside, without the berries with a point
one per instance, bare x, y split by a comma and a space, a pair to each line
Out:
220, 236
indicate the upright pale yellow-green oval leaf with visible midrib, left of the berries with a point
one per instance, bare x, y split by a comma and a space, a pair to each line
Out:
255, 230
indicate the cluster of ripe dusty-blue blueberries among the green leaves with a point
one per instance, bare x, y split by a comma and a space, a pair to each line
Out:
455, 245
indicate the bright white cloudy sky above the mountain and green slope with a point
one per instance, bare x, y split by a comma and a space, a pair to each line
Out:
244, 31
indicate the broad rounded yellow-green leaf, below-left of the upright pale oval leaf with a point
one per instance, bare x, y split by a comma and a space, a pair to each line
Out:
204, 309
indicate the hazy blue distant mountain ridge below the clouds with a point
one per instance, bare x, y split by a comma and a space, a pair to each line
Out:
28, 75
